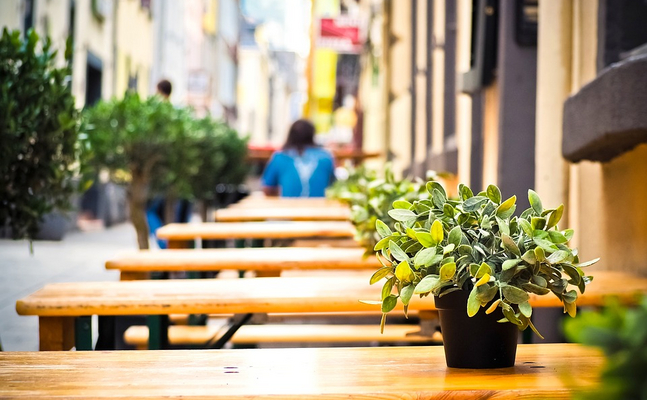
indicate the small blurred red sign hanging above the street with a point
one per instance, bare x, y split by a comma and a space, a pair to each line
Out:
340, 34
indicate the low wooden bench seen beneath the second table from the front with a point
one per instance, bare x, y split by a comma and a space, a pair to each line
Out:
285, 333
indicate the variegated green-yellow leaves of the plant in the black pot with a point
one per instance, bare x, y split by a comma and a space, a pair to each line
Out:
475, 243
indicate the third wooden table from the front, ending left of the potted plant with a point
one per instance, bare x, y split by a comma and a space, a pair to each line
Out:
138, 264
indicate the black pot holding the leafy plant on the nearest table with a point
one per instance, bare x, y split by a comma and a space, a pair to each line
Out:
476, 342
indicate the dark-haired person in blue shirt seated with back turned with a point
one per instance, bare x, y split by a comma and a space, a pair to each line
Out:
301, 168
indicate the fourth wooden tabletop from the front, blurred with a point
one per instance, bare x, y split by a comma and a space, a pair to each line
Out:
253, 230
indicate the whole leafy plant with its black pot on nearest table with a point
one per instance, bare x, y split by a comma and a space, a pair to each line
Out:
473, 253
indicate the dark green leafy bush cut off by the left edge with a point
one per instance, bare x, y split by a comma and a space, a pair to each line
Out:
38, 133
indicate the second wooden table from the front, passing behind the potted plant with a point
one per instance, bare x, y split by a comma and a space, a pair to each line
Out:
58, 304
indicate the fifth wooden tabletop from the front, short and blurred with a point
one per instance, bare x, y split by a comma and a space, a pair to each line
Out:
242, 214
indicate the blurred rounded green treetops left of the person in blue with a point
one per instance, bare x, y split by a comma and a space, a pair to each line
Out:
178, 154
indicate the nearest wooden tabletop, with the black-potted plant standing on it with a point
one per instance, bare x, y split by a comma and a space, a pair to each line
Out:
546, 371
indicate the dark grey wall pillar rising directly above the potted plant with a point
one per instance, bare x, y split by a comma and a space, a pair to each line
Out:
517, 79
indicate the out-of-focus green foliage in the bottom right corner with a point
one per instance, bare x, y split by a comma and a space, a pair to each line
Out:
622, 334
